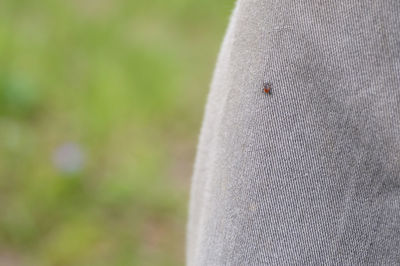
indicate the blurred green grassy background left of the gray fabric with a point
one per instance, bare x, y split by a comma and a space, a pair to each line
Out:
100, 107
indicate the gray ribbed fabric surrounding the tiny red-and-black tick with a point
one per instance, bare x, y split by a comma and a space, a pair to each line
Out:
309, 175
